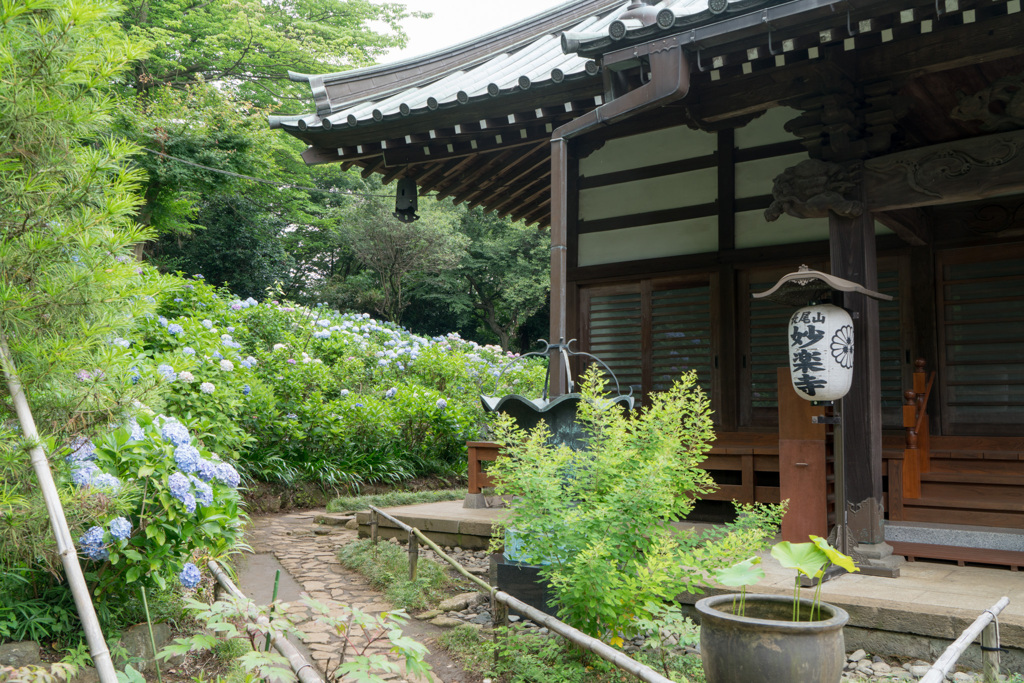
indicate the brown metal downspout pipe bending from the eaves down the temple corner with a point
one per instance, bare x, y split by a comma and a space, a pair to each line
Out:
670, 81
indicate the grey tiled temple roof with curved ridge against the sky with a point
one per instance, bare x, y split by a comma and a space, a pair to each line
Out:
532, 54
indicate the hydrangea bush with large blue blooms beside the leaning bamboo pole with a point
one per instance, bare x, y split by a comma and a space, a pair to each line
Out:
183, 499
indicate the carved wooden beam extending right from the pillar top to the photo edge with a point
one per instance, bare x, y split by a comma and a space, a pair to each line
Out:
949, 174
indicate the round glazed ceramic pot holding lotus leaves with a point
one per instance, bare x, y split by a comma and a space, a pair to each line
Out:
765, 647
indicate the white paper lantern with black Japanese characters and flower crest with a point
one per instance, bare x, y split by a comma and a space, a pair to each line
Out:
821, 346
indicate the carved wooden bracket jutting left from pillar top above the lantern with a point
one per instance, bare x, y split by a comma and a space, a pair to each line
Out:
813, 189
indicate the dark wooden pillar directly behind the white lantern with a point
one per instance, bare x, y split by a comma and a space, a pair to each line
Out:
854, 258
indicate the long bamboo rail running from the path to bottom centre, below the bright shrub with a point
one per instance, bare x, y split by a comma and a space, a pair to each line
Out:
571, 634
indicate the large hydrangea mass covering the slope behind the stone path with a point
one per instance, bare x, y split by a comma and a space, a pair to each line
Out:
297, 393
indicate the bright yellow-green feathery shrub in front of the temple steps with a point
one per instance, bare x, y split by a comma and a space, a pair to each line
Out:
600, 522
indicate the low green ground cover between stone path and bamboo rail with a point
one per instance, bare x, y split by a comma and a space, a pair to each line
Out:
387, 568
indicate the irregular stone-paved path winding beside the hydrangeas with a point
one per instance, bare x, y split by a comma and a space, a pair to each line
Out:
309, 552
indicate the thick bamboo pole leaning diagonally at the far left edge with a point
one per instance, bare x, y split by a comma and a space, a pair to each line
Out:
66, 545
